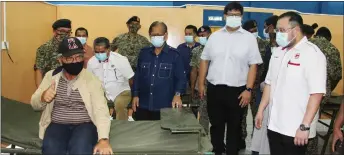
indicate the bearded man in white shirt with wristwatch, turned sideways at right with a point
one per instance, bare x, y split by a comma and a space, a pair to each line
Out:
296, 83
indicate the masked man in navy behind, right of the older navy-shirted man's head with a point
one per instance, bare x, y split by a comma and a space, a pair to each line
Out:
186, 48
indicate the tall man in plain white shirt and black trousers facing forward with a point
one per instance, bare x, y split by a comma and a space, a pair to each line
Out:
233, 55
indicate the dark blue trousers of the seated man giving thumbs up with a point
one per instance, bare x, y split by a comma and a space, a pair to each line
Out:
71, 139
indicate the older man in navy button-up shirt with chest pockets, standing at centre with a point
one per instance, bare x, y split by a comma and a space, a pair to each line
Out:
159, 78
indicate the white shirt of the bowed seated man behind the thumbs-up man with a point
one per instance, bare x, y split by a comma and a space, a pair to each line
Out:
114, 74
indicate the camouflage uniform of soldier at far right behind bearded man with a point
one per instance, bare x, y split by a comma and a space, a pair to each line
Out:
334, 75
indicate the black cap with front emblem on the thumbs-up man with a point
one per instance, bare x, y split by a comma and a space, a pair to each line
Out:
70, 46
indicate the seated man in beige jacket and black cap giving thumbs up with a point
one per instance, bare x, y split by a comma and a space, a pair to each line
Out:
75, 118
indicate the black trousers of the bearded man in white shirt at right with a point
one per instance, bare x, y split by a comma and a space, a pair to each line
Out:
284, 145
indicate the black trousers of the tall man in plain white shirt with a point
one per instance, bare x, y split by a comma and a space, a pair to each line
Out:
223, 107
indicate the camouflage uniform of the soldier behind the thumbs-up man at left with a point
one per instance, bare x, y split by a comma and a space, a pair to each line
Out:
46, 56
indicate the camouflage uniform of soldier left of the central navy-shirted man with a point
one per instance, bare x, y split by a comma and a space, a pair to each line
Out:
129, 45
